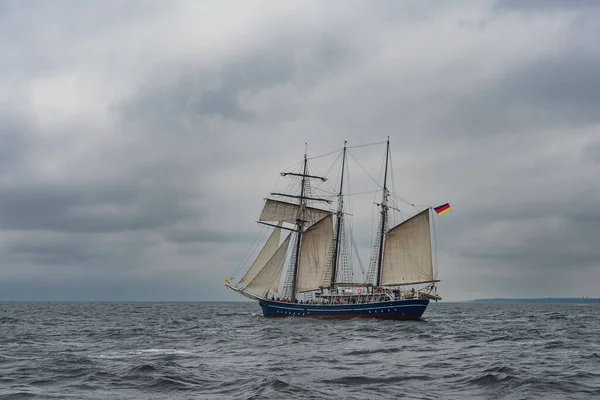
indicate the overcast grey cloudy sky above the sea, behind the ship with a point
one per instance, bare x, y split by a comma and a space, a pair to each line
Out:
138, 139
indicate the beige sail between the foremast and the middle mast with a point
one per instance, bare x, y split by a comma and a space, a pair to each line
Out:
316, 242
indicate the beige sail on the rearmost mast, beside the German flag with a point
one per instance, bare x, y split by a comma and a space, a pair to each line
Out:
407, 255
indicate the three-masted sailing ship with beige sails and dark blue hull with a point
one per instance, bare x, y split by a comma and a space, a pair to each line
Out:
316, 285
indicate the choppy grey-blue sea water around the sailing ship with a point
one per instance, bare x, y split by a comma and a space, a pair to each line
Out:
229, 351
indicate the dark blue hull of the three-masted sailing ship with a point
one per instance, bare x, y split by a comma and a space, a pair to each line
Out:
397, 309
